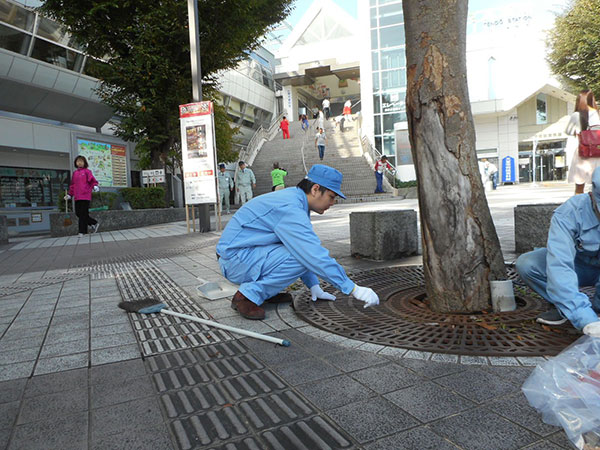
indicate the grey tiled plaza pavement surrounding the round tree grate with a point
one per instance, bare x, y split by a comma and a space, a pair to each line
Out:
72, 376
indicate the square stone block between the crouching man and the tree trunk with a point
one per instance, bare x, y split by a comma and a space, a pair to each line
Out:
384, 235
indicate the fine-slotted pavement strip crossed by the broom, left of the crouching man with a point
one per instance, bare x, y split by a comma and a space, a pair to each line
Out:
158, 333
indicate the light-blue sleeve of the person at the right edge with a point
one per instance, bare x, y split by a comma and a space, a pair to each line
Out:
563, 283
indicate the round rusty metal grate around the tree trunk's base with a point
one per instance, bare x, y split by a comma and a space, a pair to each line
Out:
404, 319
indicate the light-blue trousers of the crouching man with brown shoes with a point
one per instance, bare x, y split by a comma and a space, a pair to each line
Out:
262, 272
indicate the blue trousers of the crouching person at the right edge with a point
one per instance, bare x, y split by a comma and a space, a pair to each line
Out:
531, 267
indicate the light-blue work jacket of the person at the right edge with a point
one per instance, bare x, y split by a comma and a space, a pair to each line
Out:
574, 233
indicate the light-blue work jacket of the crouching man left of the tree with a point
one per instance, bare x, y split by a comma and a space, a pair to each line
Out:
281, 217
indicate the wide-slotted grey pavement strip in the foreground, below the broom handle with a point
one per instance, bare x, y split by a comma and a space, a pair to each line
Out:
221, 396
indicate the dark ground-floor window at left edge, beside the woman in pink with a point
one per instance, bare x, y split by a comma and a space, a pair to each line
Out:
20, 187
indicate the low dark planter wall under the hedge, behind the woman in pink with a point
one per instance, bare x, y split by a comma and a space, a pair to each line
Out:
117, 219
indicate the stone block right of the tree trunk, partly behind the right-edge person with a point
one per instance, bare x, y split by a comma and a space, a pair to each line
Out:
532, 223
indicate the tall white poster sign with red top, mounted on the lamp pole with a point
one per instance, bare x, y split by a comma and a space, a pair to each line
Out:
198, 152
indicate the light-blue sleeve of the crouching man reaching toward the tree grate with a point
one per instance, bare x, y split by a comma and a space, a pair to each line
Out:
296, 233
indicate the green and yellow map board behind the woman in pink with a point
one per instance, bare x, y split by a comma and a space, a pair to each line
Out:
108, 162
